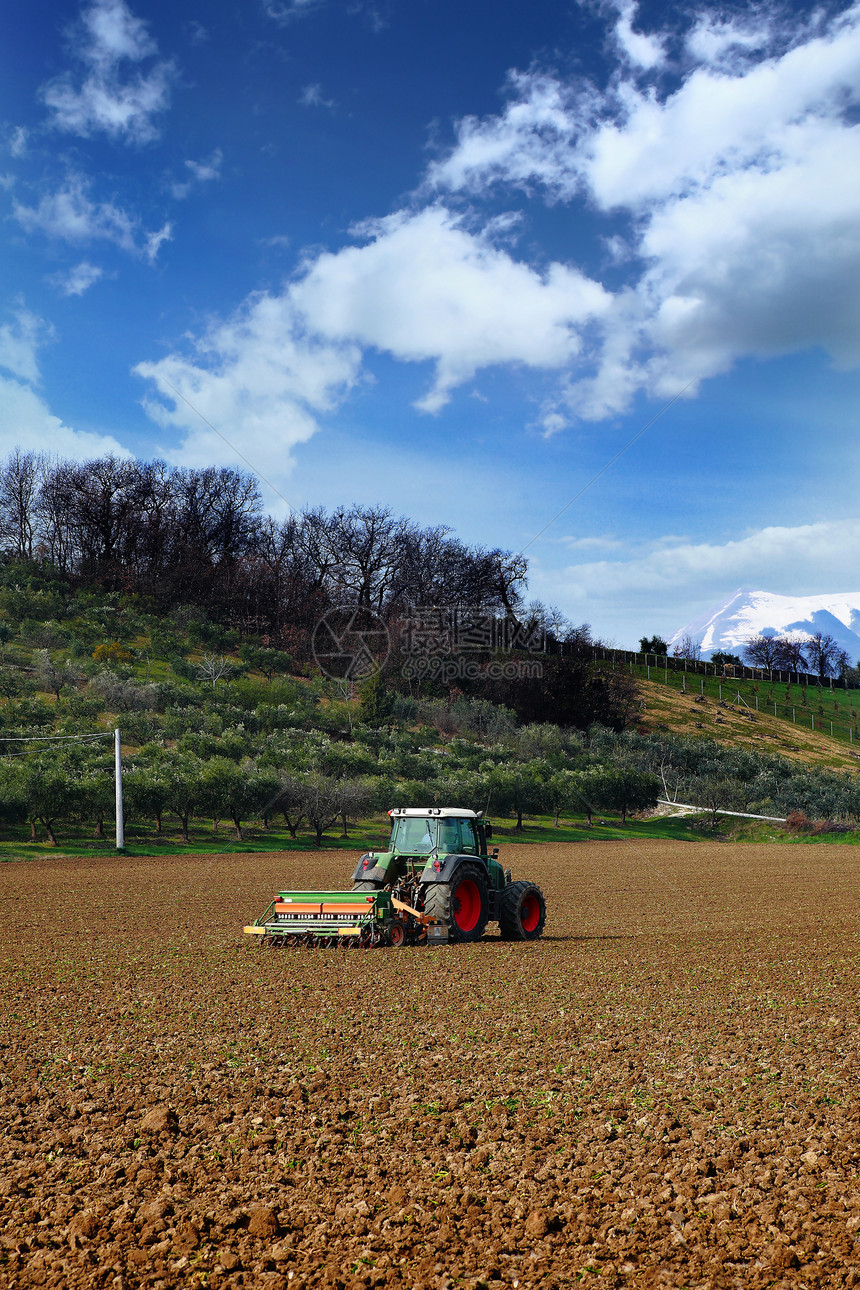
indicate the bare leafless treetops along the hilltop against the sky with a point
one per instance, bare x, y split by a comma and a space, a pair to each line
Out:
184, 536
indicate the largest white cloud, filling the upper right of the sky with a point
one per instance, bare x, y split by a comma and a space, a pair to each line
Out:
741, 185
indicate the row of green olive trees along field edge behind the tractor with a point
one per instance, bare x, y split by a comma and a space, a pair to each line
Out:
310, 781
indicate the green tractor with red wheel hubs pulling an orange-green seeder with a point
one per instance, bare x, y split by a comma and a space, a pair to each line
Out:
435, 883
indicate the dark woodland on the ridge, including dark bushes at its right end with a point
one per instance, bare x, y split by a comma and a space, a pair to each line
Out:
194, 546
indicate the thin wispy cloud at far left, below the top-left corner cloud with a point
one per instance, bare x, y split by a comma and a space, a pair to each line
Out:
70, 215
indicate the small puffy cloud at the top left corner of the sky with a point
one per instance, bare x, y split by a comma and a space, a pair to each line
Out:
108, 99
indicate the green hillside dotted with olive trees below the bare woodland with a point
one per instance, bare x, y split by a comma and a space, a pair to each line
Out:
225, 736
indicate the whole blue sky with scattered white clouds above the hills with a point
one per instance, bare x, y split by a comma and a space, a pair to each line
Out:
580, 279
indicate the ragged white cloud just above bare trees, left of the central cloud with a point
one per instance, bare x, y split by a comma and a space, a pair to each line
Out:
260, 379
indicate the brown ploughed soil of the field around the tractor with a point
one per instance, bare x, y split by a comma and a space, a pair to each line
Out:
661, 1093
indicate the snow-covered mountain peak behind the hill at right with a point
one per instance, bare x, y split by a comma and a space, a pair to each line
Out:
761, 613
